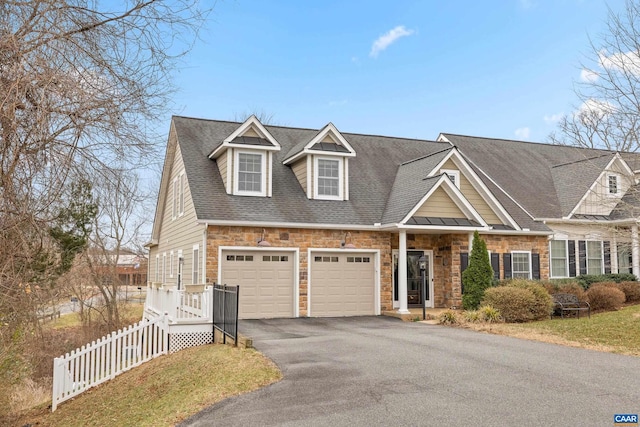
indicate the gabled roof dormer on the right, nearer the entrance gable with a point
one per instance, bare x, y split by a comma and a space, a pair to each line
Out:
322, 165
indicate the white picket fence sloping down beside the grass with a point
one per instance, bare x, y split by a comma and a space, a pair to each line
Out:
108, 357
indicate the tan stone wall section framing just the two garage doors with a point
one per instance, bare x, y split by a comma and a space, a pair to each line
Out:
303, 239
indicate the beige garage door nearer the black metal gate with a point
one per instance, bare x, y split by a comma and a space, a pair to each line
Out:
265, 279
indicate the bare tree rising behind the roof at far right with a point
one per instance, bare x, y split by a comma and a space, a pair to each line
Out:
608, 114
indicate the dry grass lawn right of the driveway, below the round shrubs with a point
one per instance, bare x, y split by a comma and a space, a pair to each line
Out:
614, 331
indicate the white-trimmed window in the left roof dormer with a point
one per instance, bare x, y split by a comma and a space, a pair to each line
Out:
250, 176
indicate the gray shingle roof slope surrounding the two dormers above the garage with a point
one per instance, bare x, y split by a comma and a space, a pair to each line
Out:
371, 176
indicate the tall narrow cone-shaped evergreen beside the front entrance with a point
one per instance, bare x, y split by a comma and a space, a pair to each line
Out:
478, 276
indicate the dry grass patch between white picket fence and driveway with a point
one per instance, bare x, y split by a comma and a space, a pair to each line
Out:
164, 391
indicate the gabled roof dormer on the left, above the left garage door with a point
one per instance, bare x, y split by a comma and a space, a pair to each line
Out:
245, 160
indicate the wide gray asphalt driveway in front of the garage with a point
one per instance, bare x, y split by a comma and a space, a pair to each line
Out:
379, 371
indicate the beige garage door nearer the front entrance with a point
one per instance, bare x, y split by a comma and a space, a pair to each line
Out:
342, 284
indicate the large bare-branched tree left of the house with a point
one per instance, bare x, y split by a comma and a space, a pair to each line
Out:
81, 86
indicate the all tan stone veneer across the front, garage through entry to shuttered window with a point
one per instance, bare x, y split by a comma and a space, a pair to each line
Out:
446, 254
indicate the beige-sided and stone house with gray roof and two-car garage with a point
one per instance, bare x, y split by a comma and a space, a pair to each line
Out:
323, 223
